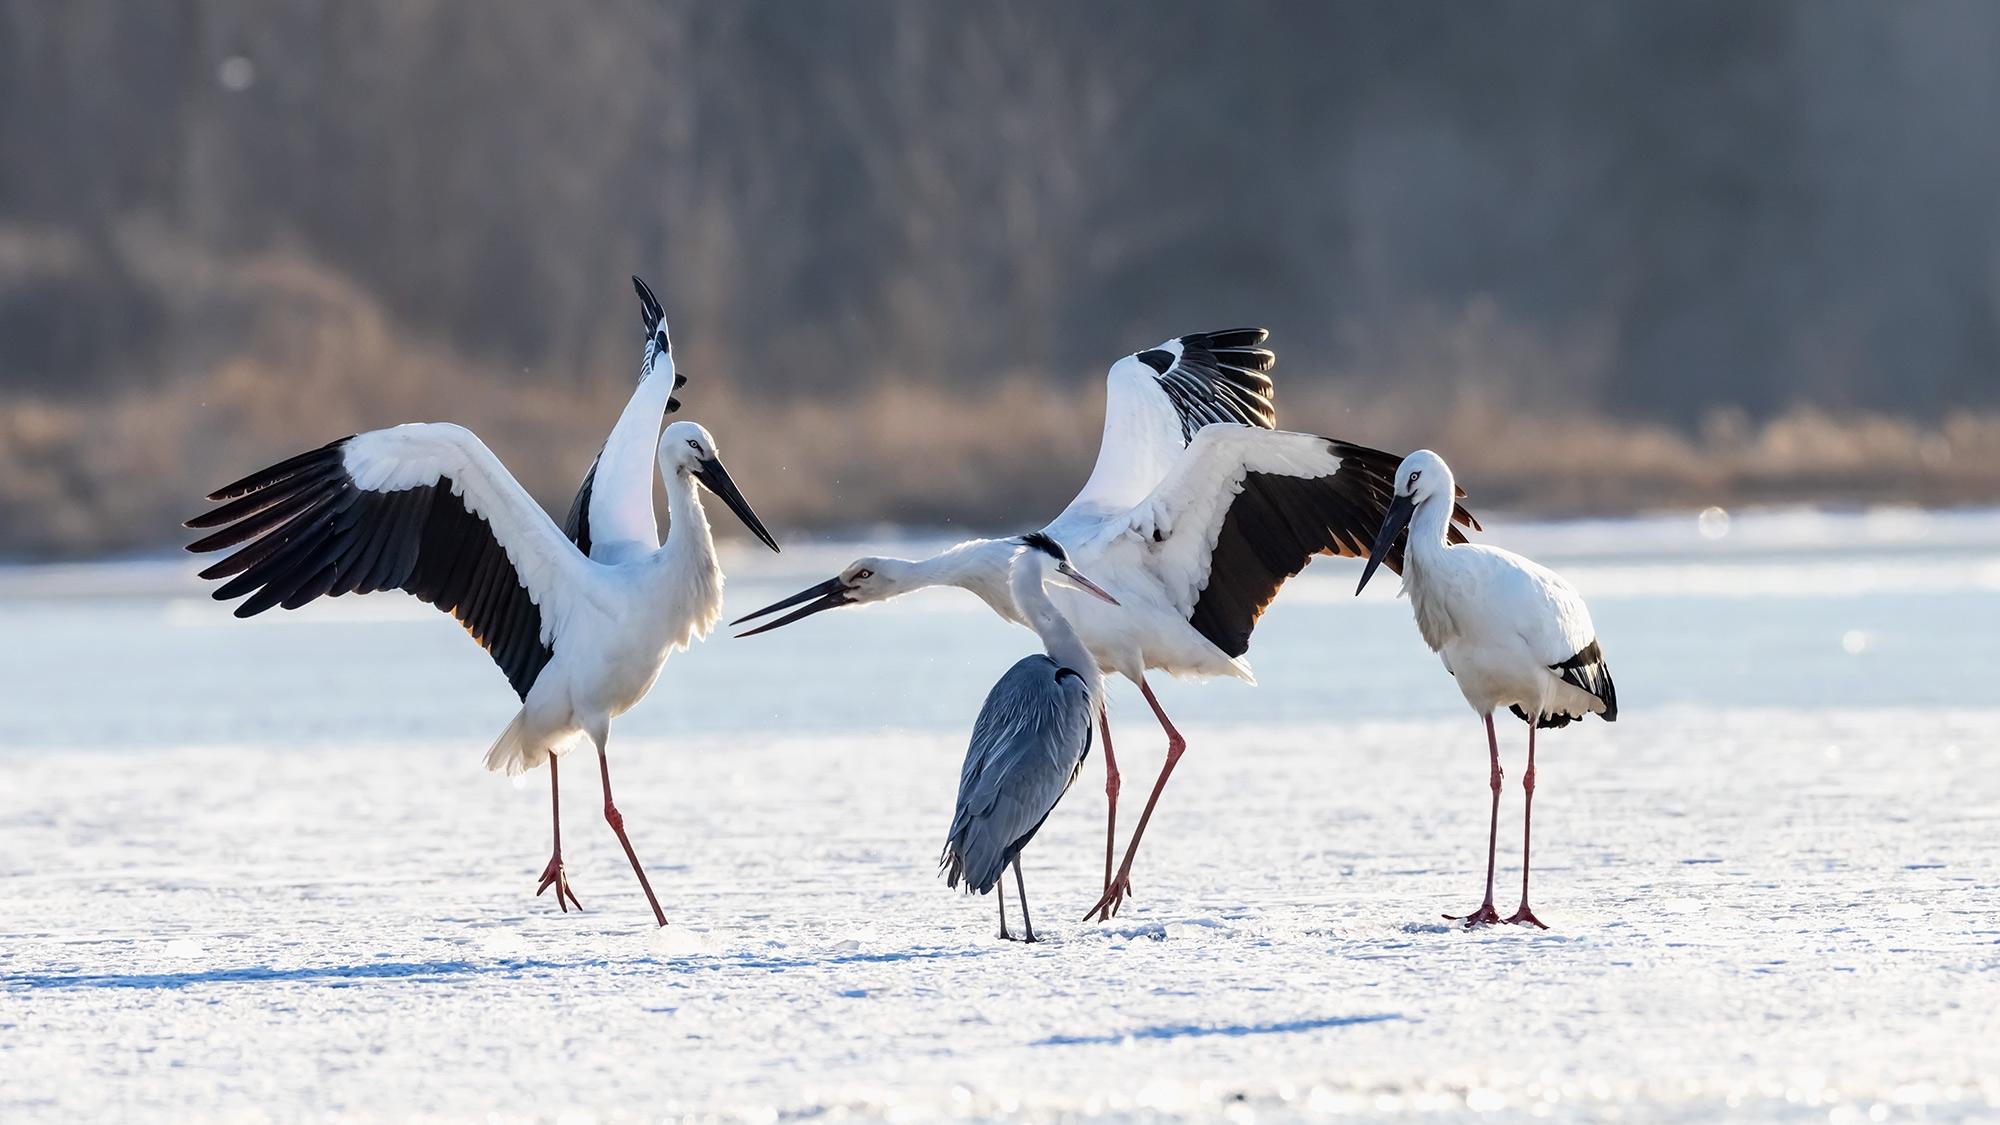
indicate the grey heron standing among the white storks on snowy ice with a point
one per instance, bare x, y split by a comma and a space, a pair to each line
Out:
1031, 738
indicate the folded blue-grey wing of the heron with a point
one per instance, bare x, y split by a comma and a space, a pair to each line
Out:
1027, 748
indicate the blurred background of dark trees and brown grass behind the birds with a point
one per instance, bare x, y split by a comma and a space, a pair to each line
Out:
1605, 257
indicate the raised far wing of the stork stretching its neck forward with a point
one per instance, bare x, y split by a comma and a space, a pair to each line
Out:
1159, 399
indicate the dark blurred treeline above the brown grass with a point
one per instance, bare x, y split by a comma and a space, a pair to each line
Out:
1699, 205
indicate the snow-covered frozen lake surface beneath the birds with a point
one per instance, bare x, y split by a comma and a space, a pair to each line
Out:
253, 870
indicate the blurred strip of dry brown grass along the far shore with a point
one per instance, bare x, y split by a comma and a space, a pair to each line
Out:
319, 359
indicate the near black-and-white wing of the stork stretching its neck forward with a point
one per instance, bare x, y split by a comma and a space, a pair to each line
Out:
1247, 509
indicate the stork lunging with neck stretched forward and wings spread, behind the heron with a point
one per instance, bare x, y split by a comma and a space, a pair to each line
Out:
1195, 515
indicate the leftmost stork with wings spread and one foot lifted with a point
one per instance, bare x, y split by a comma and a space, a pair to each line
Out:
429, 509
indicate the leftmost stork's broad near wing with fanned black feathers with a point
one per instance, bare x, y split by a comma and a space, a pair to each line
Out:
425, 509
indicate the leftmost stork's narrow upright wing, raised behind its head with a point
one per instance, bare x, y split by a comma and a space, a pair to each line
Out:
615, 503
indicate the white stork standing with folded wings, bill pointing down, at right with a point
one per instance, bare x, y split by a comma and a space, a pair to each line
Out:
1511, 632
